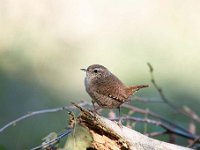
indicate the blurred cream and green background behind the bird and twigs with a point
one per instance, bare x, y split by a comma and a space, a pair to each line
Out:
43, 45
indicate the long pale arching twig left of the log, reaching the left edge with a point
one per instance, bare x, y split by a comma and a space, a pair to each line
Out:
68, 108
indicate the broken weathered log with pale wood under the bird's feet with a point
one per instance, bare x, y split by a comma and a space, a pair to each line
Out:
107, 135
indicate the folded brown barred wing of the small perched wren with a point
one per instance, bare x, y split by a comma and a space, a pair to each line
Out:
112, 87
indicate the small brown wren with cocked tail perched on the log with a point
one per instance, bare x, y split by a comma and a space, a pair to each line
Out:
106, 89
